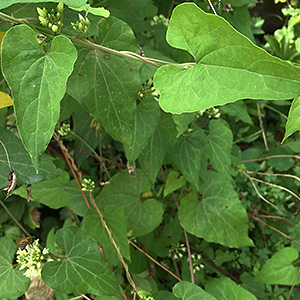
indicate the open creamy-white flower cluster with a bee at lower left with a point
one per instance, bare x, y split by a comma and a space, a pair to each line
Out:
32, 257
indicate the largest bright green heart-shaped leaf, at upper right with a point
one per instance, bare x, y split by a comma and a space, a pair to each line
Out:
228, 67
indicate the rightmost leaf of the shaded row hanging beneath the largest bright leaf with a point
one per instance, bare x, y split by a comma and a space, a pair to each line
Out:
218, 145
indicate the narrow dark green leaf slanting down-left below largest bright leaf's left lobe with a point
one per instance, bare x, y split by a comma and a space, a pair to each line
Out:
164, 137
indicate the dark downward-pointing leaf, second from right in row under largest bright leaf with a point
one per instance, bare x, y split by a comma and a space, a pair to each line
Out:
187, 153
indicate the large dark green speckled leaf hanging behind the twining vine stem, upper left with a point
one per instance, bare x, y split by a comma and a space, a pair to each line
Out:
107, 85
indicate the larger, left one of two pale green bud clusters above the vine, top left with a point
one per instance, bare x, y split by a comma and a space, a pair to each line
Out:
52, 19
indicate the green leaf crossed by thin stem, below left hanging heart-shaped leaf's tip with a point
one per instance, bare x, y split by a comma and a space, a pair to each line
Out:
50, 192
